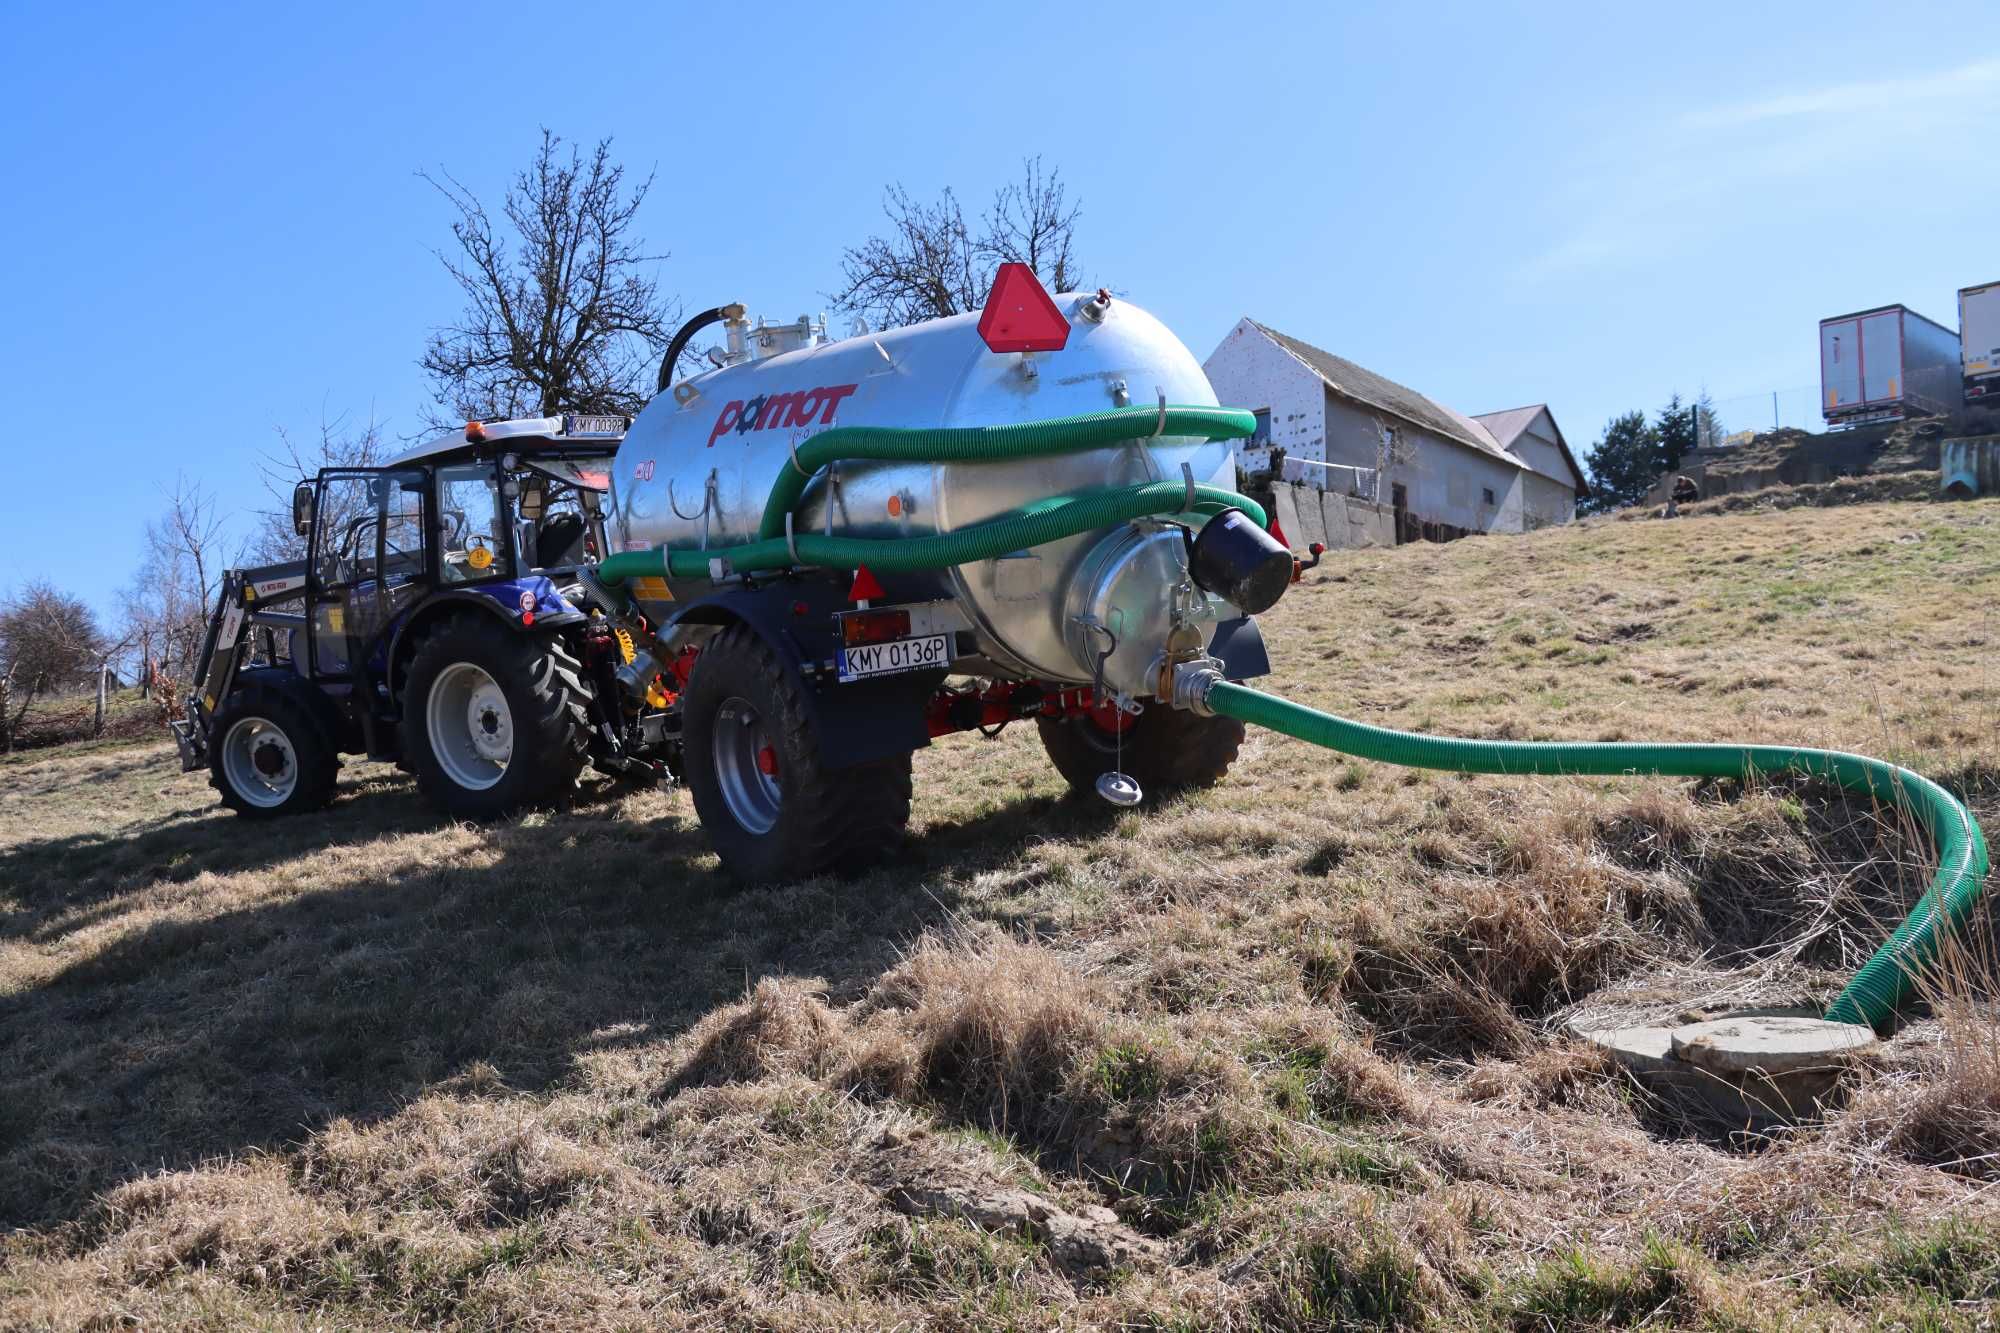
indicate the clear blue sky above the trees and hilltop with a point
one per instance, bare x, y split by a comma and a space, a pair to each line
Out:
215, 227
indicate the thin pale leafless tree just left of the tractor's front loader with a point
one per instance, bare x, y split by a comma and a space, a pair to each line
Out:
179, 573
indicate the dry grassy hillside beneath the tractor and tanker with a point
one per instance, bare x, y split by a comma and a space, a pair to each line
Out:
1285, 1054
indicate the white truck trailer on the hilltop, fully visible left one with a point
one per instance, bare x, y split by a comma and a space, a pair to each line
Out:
1885, 365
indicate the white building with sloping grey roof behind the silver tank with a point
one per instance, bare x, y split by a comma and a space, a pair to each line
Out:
1499, 473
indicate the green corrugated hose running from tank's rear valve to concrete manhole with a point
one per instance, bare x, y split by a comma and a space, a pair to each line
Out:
1885, 982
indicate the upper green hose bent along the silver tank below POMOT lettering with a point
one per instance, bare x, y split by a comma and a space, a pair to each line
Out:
1031, 439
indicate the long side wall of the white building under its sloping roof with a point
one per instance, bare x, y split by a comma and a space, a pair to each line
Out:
1445, 481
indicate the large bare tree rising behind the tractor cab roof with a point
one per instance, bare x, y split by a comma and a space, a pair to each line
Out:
563, 315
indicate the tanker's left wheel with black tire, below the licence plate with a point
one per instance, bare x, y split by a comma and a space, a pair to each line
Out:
769, 804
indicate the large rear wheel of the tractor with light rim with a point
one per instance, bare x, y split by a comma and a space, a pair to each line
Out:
547, 720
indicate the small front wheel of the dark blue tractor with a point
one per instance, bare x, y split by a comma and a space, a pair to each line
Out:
281, 764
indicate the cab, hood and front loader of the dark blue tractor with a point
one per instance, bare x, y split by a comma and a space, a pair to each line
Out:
491, 523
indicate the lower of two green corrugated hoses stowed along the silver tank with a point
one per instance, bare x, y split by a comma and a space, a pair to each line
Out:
1031, 525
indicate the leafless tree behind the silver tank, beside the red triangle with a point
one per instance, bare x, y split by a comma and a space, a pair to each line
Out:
931, 263
